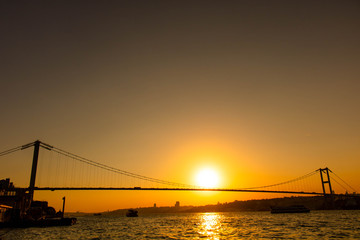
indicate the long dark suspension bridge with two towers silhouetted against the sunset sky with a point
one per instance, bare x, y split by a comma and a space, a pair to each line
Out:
325, 177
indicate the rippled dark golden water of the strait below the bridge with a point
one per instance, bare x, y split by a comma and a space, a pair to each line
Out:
314, 225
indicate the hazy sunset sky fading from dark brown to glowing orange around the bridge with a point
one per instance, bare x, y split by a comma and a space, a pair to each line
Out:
259, 91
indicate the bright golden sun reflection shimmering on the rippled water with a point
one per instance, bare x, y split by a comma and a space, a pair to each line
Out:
210, 225
